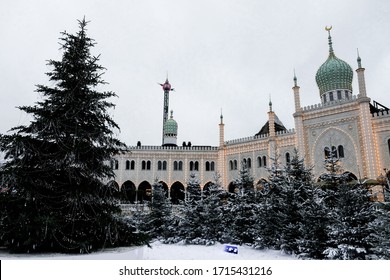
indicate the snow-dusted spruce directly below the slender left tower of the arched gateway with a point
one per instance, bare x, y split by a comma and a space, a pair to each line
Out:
305, 221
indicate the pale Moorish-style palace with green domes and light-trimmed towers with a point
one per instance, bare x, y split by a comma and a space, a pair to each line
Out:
345, 123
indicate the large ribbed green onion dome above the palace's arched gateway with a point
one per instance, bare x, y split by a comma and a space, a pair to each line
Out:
334, 73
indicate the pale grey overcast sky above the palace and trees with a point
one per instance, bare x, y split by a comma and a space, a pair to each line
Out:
229, 54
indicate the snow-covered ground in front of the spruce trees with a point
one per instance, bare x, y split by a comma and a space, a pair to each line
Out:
159, 251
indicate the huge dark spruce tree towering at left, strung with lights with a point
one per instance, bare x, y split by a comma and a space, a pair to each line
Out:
55, 166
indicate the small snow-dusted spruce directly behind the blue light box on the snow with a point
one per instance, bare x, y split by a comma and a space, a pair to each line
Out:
242, 210
